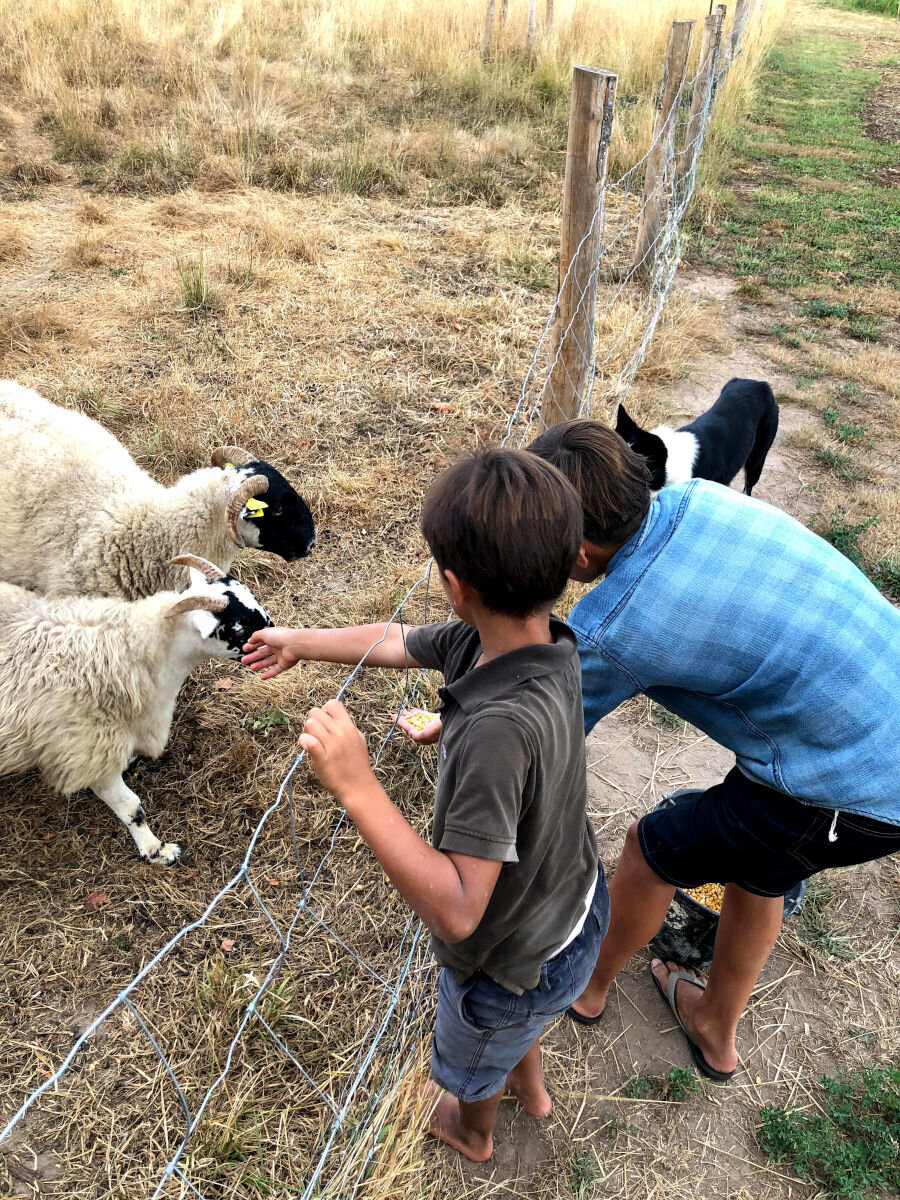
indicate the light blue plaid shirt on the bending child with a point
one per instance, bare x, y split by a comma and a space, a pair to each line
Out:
751, 627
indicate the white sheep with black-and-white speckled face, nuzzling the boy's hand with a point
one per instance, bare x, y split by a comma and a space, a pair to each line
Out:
89, 685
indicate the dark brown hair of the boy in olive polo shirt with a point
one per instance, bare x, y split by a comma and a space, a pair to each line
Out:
507, 524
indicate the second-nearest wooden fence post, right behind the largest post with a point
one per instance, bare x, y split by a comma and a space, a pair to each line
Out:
662, 147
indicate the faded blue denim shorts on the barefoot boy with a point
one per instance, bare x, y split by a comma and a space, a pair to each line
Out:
483, 1030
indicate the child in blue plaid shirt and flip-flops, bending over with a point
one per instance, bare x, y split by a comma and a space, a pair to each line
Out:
748, 626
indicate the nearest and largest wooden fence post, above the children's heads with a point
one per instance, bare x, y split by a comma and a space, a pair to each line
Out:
572, 346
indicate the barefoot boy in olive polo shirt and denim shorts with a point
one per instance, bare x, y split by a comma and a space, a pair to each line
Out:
511, 886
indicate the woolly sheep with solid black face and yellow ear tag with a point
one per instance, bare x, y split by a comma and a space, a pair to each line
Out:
82, 518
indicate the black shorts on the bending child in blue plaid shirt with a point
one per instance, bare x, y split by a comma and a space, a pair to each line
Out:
742, 832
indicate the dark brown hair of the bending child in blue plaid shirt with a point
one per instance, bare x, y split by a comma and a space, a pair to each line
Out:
613, 482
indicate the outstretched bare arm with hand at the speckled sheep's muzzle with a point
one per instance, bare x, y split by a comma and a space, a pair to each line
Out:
272, 651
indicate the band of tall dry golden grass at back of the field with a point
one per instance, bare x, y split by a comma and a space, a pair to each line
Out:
309, 94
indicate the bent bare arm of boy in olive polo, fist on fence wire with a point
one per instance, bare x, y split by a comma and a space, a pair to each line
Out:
448, 891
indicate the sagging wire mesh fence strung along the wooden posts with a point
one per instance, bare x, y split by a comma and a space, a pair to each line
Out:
188, 1115
